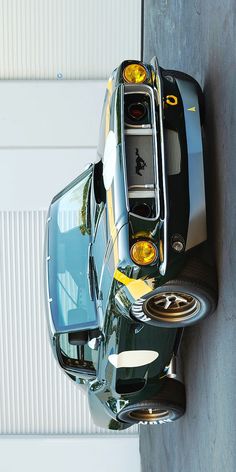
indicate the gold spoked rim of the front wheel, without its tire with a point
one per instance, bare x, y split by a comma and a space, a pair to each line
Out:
172, 305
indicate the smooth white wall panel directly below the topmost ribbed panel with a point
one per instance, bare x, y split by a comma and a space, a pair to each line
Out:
50, 114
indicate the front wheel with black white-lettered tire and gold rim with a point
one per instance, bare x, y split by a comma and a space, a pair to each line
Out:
180, 302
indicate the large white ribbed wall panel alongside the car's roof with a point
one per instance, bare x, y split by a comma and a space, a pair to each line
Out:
35, 395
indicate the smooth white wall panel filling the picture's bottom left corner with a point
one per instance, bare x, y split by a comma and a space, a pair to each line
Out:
100, 454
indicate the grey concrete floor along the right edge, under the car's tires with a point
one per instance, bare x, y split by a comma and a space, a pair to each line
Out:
198, 37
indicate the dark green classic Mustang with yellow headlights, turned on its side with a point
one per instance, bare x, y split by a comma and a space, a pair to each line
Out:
124, 277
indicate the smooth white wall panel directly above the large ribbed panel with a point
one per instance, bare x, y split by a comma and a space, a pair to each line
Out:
29, 178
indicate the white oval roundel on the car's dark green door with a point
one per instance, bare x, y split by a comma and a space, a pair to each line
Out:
132, 358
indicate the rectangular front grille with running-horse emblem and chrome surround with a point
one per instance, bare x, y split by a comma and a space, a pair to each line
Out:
141, 151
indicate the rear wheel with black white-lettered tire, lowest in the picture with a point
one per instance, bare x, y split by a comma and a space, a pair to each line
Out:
167, 406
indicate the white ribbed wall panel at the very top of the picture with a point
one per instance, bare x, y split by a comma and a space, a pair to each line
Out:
75, 38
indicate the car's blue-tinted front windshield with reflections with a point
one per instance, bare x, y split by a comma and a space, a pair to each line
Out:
68, 242
